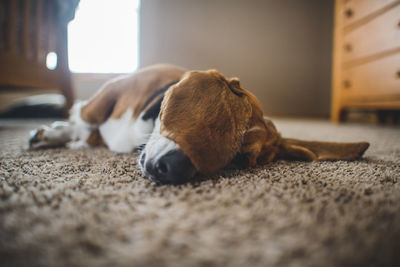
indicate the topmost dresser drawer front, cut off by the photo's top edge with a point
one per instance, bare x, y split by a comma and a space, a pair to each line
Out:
354, 10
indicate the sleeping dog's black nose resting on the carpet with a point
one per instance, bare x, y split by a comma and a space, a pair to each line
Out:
172, 168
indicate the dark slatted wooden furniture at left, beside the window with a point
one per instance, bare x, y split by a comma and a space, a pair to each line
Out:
29, 31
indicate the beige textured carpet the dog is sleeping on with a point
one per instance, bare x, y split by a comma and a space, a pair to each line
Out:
92, 207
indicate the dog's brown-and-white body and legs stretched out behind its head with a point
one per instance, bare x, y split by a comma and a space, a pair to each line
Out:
116, 115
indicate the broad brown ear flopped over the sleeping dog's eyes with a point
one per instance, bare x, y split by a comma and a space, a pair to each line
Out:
206, 116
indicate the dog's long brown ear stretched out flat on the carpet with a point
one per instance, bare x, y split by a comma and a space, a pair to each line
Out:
315, 150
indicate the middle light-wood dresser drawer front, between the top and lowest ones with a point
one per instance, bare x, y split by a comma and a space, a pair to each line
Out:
378, 35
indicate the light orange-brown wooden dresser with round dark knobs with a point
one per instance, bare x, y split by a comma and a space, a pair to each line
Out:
366, 60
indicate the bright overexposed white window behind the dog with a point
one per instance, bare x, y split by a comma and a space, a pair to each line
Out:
103, 37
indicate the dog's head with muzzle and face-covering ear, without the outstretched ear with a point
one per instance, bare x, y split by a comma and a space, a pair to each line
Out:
206, 121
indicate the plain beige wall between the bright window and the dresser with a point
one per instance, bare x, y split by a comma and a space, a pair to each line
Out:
280, 49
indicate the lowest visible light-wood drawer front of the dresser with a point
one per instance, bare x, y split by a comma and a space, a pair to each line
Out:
376, 80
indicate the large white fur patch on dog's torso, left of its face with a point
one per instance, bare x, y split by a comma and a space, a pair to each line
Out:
123, 135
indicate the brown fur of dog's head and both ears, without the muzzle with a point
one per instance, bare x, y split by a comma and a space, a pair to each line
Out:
212, 119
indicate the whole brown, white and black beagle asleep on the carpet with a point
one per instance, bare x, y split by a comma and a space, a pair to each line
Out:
183, 122
